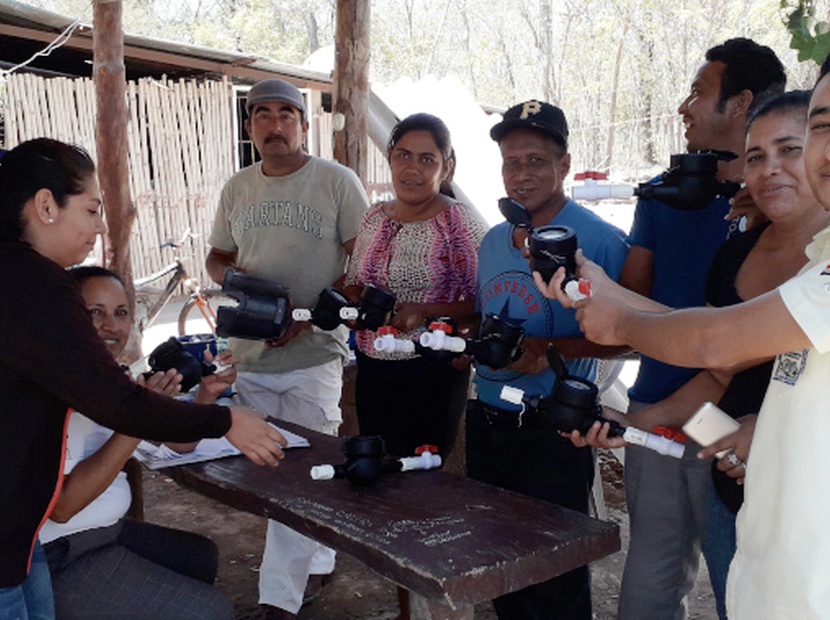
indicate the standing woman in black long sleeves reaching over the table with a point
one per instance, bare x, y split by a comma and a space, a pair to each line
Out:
51, 361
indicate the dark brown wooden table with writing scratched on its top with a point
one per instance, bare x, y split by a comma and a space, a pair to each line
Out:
451, 541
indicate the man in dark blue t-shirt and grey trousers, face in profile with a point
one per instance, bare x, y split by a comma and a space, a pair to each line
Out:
671, 252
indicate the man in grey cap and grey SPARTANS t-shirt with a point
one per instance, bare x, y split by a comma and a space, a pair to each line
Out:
290, 218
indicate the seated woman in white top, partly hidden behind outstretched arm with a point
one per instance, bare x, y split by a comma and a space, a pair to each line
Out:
99, 560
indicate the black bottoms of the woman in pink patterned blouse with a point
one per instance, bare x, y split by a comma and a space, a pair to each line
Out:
410, 402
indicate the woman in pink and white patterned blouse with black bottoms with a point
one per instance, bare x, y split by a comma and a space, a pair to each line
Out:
422, 245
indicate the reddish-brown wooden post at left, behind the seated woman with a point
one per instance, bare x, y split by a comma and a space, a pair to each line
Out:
109, 76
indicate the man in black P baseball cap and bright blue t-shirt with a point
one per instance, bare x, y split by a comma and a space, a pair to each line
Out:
520, 450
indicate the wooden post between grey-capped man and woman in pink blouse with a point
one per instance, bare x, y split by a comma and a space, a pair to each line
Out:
351, 84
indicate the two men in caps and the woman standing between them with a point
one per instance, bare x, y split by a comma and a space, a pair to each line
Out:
295, 219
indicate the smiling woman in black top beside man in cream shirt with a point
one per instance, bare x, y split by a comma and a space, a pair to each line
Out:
746, 267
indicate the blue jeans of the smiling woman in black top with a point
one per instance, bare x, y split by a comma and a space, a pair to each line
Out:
719, 548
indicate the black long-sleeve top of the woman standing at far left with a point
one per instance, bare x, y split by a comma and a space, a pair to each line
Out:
51, 359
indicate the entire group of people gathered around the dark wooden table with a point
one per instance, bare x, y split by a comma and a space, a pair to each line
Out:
306, 223
